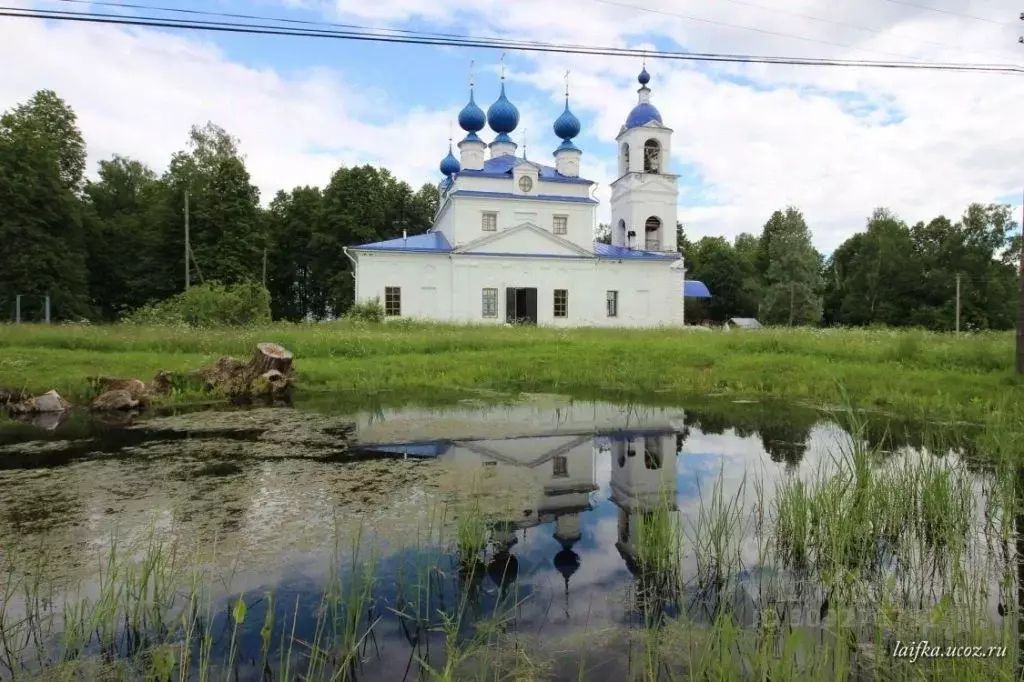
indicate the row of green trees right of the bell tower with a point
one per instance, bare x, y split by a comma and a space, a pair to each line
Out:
890, 274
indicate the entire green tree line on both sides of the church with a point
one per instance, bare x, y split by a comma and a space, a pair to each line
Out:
102, 248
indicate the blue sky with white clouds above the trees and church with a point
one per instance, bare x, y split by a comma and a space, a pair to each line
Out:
836, 143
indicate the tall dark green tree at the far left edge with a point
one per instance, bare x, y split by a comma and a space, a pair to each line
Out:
41, 163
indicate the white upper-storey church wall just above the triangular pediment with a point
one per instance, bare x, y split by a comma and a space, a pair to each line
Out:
468, 218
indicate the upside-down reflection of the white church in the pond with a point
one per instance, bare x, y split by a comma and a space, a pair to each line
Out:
566, 468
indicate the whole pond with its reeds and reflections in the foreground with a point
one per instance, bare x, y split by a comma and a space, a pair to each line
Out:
542, 539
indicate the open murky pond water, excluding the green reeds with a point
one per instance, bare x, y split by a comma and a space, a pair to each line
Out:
273, 500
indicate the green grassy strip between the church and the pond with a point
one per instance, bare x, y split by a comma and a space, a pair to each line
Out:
915, 374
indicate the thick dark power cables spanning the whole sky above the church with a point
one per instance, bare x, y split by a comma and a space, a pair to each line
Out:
364, 34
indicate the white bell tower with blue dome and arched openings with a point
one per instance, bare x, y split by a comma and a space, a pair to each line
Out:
645, 198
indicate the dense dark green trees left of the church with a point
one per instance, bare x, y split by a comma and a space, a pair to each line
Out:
104, 247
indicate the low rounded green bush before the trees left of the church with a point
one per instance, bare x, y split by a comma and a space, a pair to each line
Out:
209, 306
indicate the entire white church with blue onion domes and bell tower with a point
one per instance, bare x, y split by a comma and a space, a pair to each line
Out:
514, 240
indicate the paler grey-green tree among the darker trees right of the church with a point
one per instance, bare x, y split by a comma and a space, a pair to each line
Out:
792, 275
